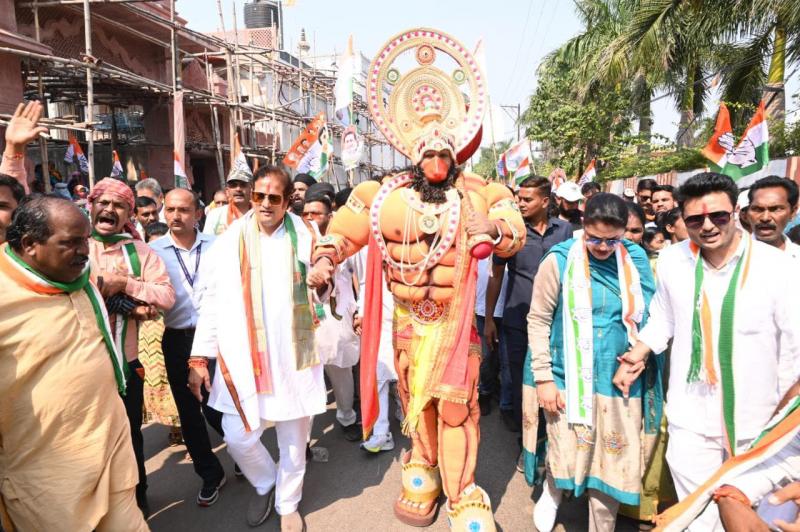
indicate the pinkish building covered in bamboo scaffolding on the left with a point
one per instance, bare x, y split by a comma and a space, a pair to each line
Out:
113, 72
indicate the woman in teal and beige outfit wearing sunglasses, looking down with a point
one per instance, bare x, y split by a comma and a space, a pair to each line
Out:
589, 300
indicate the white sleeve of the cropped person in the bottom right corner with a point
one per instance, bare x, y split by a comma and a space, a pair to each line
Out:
769, 475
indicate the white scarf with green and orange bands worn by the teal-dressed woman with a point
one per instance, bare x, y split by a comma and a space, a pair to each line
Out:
577, 322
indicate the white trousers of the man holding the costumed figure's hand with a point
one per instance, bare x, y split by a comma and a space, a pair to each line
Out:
258, 466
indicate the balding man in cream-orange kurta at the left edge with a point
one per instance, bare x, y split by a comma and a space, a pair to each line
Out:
66, 460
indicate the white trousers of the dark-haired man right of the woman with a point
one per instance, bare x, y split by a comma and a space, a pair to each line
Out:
692, 459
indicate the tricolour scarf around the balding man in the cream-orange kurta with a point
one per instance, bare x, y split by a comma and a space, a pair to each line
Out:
26, 276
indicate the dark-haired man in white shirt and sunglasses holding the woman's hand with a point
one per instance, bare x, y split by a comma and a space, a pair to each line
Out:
728, 303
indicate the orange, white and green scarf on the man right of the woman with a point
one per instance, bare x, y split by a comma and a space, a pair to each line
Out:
702, 362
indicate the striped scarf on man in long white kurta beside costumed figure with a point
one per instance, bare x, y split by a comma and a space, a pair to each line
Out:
303, 323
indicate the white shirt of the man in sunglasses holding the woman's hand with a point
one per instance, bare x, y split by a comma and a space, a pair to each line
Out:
766, 329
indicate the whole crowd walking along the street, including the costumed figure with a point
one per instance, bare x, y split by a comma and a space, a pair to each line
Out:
636, 345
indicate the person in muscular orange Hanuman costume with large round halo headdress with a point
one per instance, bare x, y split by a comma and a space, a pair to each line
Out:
427, 228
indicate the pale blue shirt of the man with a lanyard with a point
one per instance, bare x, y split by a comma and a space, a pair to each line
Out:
184, 314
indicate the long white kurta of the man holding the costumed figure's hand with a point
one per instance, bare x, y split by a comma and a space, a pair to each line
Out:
222, 329
